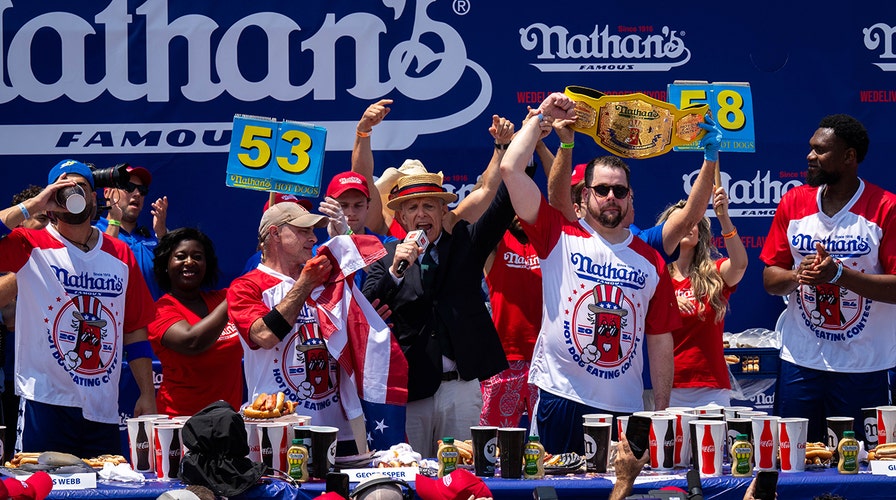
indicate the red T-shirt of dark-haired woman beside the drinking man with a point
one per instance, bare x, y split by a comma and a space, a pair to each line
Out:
192, 382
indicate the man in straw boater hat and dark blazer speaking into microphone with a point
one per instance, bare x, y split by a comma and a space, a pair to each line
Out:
439, 317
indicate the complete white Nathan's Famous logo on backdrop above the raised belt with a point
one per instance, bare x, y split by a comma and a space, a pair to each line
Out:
639, 48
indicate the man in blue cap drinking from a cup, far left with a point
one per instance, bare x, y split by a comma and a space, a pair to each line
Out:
82, 308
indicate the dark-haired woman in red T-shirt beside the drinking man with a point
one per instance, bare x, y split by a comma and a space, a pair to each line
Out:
192, 336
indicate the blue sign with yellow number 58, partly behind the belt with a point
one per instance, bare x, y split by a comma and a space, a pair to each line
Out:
731, 105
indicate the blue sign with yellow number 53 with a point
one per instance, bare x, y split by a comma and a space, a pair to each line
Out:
267, 155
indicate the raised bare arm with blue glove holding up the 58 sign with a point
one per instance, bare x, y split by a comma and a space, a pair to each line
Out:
681, 221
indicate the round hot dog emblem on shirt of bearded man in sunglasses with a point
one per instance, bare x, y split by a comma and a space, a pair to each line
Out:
600, 334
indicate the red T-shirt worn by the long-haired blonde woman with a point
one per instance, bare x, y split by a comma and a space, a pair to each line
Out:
699, 354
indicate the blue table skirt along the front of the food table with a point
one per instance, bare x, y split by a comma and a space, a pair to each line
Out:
796, 486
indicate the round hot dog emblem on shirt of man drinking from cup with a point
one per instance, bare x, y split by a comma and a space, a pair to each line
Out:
85, 341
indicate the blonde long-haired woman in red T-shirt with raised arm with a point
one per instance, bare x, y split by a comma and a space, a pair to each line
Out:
703, 282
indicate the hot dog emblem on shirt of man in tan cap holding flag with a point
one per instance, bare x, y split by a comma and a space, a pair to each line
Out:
306, 373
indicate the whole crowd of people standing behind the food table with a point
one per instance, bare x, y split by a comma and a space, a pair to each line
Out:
588, 313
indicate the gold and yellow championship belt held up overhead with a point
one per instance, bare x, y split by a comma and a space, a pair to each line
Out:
634, 125
